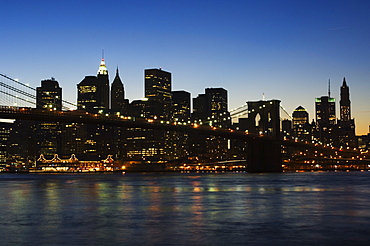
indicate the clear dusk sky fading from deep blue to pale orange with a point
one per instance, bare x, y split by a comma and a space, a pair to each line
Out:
287, 50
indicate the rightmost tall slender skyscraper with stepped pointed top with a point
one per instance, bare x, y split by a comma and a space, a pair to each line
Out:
346, 125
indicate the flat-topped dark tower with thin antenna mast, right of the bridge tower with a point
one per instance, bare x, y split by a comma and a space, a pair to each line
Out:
326, 120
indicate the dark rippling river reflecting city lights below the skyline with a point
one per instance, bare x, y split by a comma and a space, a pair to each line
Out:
312, 208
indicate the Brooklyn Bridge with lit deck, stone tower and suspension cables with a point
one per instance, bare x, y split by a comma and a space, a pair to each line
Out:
265, 147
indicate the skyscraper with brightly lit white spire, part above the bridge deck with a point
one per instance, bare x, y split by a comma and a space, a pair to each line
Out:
93, 91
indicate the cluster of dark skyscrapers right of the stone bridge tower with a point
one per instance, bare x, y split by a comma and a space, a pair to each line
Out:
327, 129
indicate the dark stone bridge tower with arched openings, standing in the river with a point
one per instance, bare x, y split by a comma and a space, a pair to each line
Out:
264, 154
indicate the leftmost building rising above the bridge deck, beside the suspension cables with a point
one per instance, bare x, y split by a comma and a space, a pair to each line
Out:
49, 95
